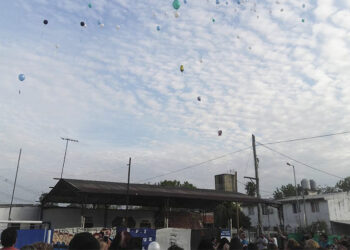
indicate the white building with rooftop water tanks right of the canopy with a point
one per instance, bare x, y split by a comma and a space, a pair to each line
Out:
333, 209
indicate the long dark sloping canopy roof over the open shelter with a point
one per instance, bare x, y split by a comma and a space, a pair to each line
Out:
114, 193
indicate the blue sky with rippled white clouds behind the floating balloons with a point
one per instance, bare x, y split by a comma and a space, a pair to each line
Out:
275, 69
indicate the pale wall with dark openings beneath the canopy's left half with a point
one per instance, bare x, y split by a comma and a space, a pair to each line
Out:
71, 217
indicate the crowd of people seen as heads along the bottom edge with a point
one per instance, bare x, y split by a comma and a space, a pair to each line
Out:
124, 241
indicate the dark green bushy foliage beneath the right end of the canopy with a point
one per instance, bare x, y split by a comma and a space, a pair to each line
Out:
228, 210
